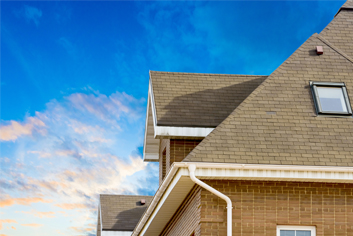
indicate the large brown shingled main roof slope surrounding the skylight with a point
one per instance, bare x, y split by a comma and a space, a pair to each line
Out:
277, 123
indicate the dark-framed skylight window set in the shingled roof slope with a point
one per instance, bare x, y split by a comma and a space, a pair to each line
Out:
331, 98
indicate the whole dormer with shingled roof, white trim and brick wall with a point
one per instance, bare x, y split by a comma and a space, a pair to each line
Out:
183, 108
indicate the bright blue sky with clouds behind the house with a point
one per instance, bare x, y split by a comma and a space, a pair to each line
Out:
74, 82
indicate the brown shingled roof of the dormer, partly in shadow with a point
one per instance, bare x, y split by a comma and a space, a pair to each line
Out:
199, 100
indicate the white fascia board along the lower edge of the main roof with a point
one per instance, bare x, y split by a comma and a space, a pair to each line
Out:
227, 171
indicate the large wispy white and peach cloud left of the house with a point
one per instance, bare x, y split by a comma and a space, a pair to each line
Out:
89, 147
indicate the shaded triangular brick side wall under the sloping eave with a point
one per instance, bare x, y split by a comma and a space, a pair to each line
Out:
186, 220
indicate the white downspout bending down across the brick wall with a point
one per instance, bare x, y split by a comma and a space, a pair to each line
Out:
192, 169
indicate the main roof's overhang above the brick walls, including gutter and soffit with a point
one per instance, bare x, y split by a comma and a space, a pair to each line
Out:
177, 184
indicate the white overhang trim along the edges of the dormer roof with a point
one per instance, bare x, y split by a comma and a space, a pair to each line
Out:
153, 132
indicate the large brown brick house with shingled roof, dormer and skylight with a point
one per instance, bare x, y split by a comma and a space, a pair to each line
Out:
256, 155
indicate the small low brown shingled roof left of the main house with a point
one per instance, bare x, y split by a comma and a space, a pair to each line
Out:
121, 212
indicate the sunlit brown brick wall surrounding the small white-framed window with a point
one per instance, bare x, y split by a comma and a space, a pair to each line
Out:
259, 206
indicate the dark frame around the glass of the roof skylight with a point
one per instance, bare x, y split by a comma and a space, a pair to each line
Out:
317, 102
